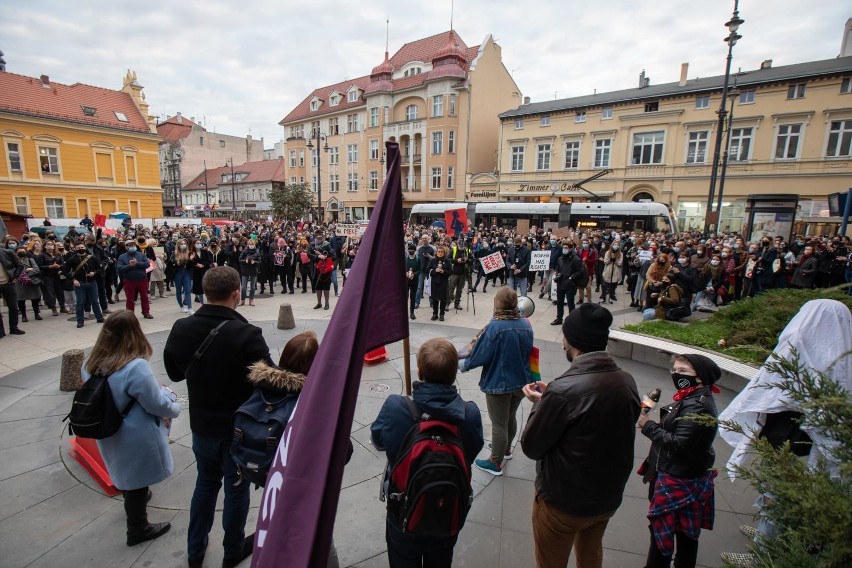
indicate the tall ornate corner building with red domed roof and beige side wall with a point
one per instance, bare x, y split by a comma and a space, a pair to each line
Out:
436, 97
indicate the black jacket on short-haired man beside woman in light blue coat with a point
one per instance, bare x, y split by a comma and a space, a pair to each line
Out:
217, 383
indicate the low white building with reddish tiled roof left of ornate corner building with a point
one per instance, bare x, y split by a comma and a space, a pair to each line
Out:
241, 192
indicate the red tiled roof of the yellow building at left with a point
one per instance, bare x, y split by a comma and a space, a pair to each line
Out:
26, 95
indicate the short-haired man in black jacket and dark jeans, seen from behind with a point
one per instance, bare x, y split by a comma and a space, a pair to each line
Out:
217, 384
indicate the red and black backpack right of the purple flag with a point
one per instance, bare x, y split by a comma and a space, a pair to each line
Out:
428, 488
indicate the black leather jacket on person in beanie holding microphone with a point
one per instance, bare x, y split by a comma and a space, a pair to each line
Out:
682, 447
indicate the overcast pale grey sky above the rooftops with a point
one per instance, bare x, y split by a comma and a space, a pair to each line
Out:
243, 65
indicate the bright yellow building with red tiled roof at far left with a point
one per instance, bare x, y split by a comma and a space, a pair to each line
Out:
70, 150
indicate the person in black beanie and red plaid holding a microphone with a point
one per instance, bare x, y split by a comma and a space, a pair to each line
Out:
679, 466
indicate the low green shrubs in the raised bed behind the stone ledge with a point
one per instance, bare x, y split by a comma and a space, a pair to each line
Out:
749, 327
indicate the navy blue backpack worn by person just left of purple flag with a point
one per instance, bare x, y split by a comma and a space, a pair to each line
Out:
258, 426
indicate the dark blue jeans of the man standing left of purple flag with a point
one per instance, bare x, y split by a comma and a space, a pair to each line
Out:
213, 461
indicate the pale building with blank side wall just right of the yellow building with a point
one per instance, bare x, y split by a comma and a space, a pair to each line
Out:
187, 148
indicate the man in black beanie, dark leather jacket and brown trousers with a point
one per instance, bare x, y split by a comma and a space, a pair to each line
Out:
581, 432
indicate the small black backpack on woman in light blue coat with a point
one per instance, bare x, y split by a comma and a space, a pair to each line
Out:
93, 412
